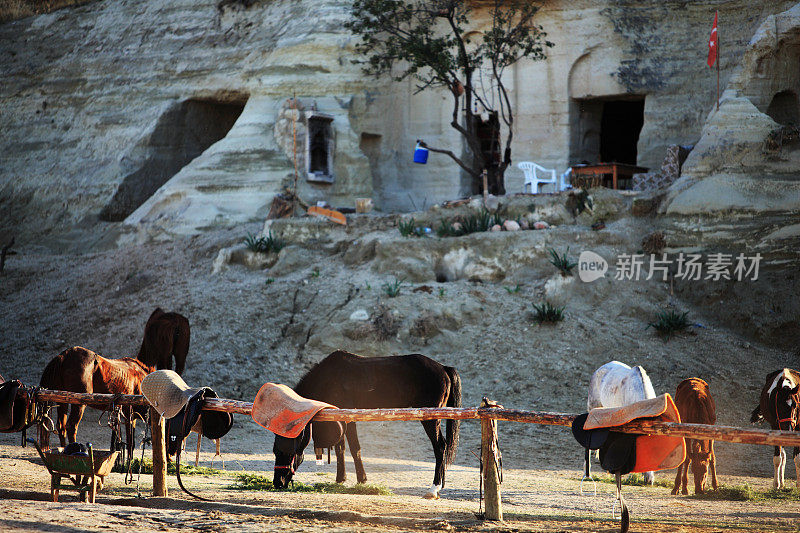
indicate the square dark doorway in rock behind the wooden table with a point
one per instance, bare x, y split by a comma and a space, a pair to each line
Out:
605, 130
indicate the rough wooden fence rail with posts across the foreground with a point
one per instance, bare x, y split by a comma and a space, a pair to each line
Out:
696, 431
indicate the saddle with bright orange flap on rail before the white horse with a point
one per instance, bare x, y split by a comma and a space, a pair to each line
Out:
623, 453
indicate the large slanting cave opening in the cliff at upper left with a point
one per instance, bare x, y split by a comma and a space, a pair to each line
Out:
182, 133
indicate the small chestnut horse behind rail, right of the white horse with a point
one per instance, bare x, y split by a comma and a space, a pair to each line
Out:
696, 406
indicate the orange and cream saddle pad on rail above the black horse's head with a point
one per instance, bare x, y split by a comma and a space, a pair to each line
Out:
282, 411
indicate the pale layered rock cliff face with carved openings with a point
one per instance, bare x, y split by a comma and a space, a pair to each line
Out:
87, 91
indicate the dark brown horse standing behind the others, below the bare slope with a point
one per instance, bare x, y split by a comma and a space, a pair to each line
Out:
165, 335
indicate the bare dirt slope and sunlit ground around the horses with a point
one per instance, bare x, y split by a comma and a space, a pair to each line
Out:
255, 325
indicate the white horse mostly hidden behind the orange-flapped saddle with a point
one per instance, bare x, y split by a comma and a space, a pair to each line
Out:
616, 384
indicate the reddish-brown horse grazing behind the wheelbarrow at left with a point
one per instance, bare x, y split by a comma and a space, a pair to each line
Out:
77, 369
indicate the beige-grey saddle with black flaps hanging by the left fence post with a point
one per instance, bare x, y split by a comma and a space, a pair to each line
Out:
182, 406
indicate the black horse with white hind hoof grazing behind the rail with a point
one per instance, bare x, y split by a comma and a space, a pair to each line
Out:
351, 381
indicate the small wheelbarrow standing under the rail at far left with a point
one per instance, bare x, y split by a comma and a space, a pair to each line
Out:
86, 473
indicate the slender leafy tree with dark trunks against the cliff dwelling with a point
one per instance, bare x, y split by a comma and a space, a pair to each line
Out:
427, 41
